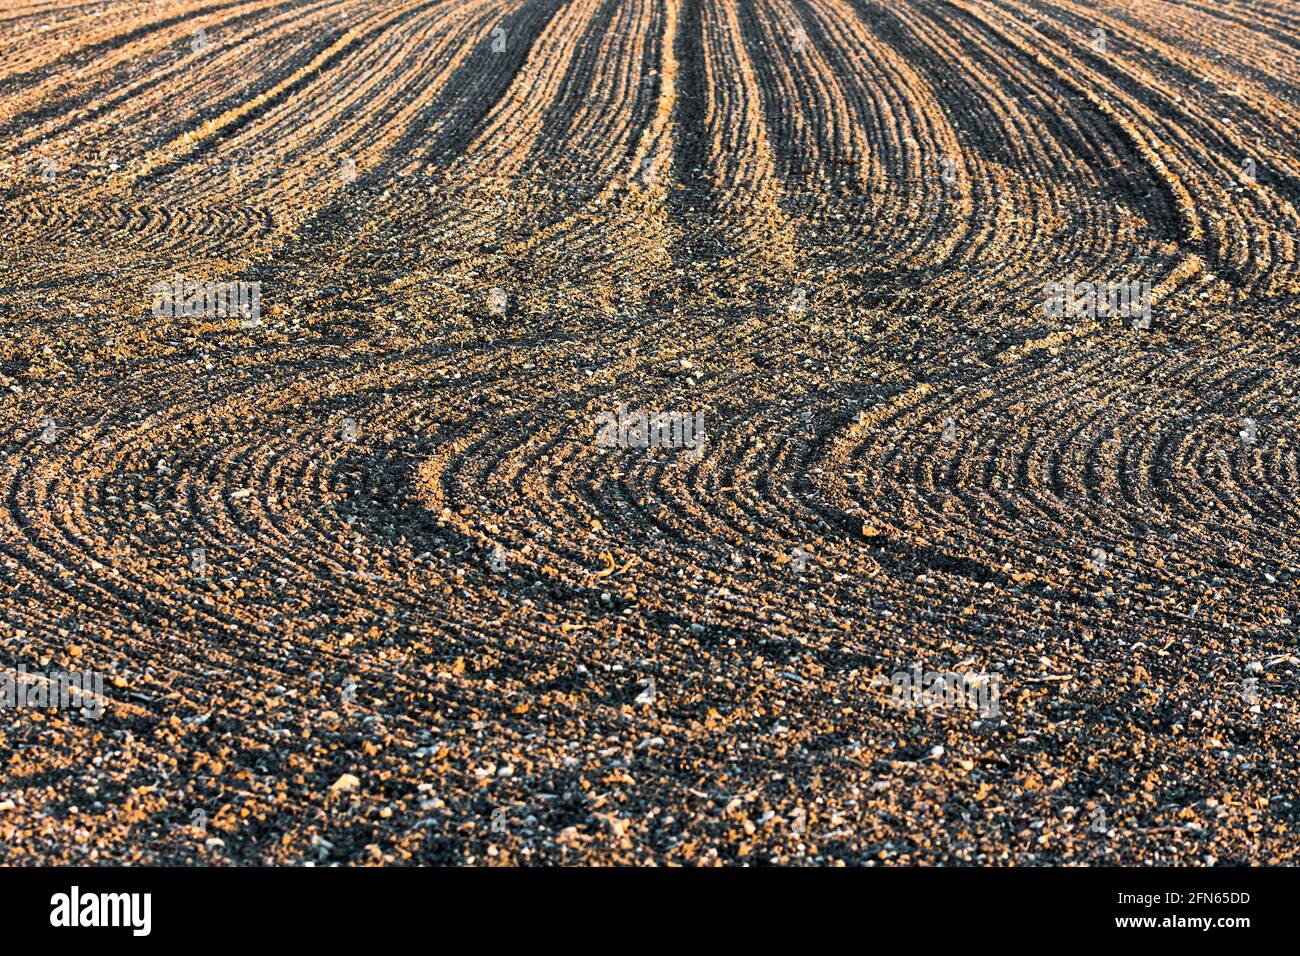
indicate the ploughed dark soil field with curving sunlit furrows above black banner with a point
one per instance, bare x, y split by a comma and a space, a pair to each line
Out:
363, 581
